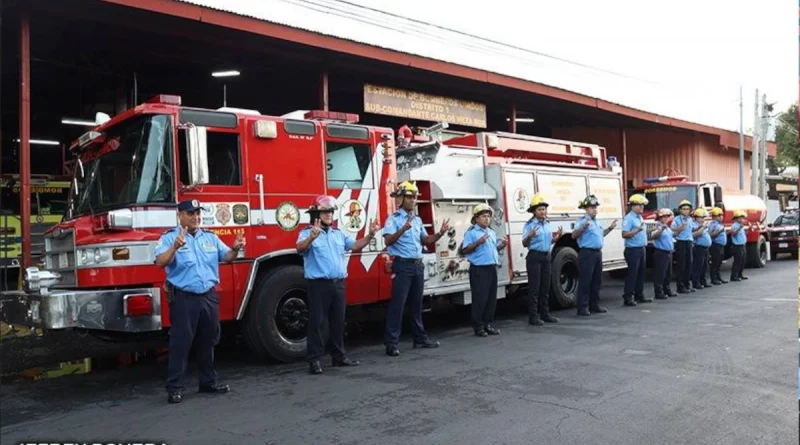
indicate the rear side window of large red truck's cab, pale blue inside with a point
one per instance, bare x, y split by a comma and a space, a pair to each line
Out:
347, 165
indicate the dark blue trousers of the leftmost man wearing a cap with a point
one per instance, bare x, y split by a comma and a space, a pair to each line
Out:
194, 318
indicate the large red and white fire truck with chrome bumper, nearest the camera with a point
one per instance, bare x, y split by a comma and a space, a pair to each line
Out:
256, 175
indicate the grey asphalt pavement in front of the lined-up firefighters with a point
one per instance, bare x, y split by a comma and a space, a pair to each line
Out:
715, 367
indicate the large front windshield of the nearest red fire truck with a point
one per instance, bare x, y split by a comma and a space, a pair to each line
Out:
133, 165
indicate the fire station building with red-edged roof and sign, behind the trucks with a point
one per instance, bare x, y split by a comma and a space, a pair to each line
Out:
64, 61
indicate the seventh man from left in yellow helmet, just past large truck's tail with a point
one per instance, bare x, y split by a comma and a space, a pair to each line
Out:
635, 235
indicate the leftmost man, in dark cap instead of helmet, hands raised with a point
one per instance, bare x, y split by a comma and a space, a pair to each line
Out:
191, 257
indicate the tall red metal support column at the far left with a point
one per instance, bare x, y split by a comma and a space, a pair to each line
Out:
24, 133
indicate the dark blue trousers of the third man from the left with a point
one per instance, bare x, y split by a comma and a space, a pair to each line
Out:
407, 284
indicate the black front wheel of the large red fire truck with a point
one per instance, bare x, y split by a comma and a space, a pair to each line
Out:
277, 317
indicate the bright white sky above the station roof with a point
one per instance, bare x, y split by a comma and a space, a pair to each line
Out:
683, 59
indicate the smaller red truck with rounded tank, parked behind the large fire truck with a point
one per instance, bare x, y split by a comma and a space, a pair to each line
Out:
668, 191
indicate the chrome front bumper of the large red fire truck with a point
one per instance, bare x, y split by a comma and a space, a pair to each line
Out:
64, 309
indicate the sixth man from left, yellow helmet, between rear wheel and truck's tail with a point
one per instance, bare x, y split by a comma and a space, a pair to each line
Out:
590, 236
